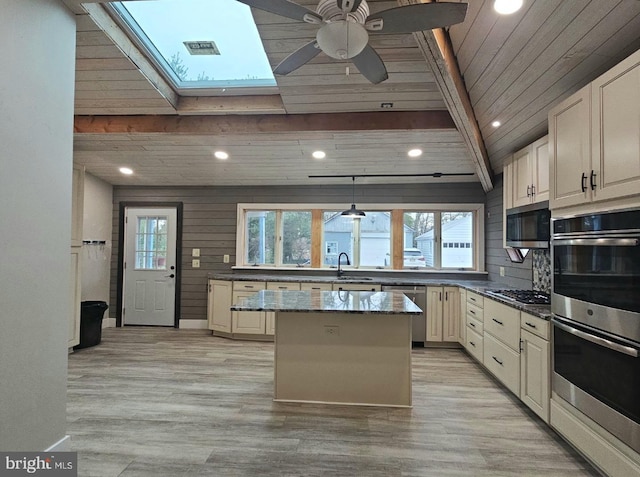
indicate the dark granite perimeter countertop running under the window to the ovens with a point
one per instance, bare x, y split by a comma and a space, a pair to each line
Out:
481, 287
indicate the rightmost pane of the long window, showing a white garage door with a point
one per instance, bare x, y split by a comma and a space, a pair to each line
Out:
457, 228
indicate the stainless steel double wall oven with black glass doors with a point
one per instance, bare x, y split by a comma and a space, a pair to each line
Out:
596, 324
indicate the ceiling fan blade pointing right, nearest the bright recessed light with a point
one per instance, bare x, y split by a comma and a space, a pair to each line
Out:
416, 17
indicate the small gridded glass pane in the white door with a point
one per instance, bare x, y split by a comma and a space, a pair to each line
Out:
151, 243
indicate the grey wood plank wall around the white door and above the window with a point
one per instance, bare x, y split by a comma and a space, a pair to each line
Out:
209, 221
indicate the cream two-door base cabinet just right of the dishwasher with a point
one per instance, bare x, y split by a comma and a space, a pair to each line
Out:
443, 314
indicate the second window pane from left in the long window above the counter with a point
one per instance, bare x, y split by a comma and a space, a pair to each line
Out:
296, 238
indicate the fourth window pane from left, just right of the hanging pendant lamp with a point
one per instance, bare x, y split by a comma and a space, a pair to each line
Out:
375, 239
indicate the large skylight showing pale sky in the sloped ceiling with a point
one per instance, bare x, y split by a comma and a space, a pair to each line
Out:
200, 44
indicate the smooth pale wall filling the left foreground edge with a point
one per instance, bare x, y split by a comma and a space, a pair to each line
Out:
37, 44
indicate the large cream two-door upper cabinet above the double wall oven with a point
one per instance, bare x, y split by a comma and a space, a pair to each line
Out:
594, 142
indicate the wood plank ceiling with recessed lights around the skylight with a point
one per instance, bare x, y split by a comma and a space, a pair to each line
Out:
514, 68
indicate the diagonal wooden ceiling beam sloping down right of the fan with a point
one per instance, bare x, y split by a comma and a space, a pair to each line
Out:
438, 52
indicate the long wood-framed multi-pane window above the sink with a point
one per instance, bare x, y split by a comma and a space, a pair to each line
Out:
303, 235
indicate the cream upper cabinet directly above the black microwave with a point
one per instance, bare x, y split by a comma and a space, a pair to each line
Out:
528, 174
